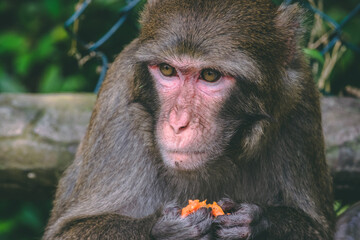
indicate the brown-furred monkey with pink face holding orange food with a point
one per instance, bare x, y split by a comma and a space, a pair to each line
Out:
214, 100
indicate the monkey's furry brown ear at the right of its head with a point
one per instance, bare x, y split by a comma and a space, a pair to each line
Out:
290, 22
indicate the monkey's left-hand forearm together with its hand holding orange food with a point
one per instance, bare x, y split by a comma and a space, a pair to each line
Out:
114, 226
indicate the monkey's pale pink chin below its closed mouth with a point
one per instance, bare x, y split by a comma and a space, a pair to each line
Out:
185, 161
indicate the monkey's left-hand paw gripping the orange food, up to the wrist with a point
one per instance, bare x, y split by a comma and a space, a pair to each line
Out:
172, 226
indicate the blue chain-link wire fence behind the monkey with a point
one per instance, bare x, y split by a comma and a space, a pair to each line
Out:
334, 37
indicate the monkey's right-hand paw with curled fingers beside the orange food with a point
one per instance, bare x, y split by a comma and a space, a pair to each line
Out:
245, 221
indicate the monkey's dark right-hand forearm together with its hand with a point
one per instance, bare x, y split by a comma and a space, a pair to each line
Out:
250, 221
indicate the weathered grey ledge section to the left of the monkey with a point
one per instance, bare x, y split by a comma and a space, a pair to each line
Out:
39, 135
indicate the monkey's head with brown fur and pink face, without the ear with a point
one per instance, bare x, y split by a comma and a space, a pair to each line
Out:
213, 70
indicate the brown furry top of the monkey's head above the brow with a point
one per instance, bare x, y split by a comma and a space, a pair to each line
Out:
212, 28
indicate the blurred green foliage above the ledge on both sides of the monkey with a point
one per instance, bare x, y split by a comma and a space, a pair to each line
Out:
34, 47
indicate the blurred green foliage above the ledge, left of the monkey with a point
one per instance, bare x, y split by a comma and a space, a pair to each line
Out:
34, 45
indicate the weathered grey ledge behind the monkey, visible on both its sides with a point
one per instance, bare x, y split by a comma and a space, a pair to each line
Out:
39, 135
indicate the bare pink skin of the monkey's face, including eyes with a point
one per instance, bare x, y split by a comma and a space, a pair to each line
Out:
190, 95
